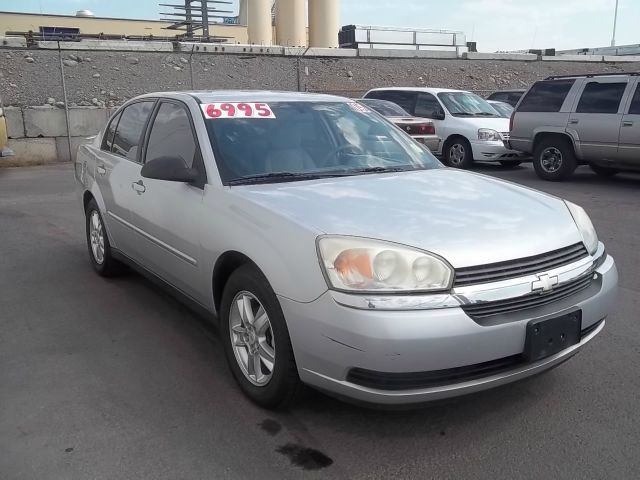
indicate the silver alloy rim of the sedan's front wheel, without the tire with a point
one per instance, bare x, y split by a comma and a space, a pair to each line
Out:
252, 338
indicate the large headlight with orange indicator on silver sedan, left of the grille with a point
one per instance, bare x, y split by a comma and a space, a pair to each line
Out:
363, 265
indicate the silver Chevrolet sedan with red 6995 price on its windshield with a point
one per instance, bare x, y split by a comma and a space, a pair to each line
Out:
334, 251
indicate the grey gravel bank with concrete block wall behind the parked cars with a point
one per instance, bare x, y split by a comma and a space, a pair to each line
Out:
97, 78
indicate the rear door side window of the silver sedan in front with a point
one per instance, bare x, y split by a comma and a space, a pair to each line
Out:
128, 136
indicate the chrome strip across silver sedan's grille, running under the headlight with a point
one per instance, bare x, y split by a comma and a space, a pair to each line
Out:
473, 294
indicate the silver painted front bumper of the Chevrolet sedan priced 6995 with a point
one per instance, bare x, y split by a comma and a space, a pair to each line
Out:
330, 339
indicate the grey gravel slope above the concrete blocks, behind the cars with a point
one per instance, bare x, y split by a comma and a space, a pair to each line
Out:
32, 77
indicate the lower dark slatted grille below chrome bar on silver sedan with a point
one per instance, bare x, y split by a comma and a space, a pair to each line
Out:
533, 300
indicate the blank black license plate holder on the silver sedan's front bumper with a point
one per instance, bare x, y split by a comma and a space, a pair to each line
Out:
550, 336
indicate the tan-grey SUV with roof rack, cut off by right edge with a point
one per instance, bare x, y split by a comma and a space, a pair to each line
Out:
582, 119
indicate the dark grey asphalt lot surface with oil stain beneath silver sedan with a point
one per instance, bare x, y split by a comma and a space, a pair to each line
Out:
113, 379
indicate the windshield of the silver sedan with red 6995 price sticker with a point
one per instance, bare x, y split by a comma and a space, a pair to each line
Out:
309, 140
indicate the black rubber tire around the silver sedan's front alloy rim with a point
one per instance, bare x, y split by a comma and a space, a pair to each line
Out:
284, 386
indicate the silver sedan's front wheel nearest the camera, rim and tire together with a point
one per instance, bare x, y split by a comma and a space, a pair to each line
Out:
256, 340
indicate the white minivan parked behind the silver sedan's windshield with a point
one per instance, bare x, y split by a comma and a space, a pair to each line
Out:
470, 128
